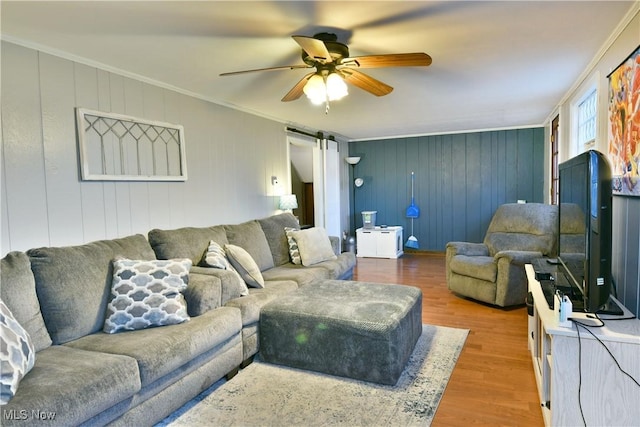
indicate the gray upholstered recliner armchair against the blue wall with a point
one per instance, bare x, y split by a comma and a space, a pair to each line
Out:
493, 271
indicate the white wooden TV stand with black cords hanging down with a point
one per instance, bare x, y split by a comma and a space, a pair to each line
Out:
562, 358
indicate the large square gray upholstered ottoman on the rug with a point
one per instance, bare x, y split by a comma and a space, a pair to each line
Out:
360, 330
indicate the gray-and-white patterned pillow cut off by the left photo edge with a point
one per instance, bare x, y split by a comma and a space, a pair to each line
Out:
17, 354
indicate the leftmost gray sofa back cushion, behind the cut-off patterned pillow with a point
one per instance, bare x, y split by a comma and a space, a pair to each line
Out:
18, 291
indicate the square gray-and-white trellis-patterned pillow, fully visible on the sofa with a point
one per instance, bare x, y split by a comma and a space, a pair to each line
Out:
147, 293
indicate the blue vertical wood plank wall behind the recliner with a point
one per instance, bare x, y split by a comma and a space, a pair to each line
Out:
460, 181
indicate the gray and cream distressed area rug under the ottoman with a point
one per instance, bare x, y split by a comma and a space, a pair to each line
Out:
264, 394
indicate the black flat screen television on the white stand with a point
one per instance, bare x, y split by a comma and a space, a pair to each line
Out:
584, 238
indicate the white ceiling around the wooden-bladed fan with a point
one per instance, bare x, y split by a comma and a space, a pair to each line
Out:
495, 64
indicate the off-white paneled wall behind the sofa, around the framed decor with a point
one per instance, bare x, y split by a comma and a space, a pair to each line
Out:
231, 157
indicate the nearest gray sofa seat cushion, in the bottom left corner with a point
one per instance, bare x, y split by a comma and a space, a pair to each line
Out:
73, 384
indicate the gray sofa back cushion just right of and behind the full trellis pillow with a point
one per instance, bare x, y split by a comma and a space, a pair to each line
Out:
187, 242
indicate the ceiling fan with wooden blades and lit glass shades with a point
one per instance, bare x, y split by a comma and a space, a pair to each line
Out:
333, 67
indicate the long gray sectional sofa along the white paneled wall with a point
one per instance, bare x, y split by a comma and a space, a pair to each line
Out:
84, 376
